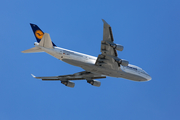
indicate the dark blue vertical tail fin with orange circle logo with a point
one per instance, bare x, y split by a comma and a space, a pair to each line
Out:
38, 33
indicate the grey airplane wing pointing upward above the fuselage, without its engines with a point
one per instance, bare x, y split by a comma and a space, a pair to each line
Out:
108, 52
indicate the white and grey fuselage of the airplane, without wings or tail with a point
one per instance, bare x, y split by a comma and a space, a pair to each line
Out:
87, 62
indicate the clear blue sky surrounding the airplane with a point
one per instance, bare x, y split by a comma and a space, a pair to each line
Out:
148, 30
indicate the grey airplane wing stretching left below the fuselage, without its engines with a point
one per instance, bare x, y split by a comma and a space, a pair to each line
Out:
77, 76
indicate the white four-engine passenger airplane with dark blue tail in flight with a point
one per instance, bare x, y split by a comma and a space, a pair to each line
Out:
106, 64
